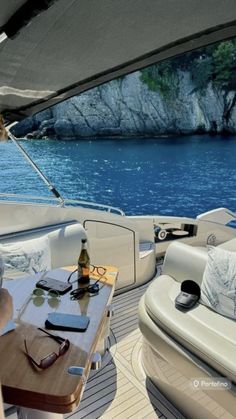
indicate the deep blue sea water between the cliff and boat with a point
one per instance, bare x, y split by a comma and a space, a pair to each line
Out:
172, 176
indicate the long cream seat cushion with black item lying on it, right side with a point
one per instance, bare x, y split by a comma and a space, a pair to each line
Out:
207, 334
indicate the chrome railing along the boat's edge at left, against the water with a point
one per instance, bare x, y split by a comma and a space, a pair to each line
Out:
67, 202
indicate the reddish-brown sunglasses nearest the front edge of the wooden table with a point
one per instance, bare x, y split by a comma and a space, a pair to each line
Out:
49, 359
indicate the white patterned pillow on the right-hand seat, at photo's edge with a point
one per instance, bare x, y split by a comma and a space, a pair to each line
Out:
218, 289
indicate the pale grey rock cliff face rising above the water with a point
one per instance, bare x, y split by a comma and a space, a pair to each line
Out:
127, 108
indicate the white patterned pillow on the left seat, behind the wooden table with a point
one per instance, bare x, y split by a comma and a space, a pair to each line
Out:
28, 256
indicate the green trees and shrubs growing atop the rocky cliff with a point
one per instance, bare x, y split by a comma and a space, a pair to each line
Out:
215, 63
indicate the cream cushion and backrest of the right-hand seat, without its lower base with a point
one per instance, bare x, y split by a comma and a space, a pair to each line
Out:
203, 331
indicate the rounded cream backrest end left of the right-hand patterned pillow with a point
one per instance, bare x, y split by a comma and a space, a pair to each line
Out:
185, 262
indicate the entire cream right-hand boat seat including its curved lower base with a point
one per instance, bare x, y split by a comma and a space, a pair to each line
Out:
182, 346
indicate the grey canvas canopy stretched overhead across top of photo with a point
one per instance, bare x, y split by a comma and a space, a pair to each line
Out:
58, 48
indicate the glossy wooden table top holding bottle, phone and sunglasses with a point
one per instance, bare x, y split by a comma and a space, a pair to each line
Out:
53, 389
